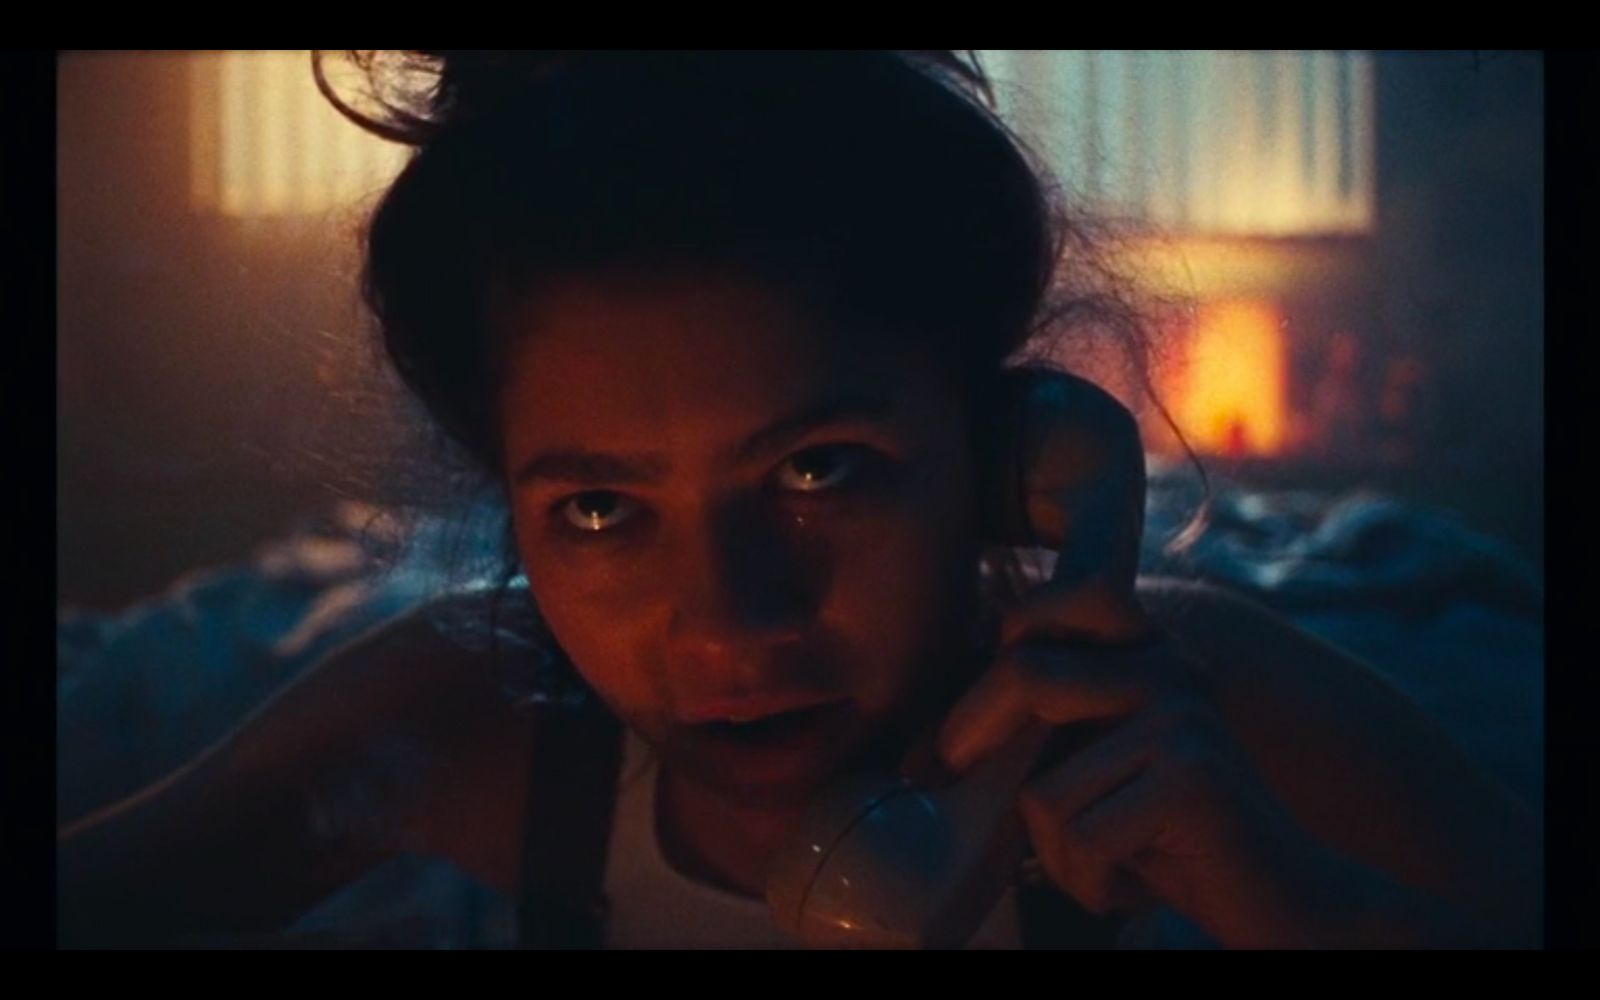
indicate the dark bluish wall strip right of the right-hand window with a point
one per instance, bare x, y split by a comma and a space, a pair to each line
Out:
1460, 271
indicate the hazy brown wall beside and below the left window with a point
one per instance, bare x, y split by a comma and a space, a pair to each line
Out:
194, 417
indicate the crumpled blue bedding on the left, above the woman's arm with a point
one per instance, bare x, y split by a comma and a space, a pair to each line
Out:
143, 690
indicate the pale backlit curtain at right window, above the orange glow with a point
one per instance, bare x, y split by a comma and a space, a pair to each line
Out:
1228, 143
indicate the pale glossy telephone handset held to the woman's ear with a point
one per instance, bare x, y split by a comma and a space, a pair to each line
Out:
881, 863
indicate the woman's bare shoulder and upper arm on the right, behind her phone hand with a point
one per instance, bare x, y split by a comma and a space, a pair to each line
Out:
1359, 766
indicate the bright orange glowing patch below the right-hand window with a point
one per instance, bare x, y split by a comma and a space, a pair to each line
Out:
1230, 393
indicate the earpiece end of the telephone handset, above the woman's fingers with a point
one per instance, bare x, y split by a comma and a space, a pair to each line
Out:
1065, 470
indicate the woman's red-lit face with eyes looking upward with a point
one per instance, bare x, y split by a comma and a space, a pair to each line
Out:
751, 530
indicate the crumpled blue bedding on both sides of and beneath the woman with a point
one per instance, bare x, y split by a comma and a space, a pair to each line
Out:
1454, 618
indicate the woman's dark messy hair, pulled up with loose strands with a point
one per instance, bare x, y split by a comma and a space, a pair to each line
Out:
879, 185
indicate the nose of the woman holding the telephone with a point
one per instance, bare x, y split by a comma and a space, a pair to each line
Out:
742, 591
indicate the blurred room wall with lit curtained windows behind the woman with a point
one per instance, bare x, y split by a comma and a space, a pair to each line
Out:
1359, 234
